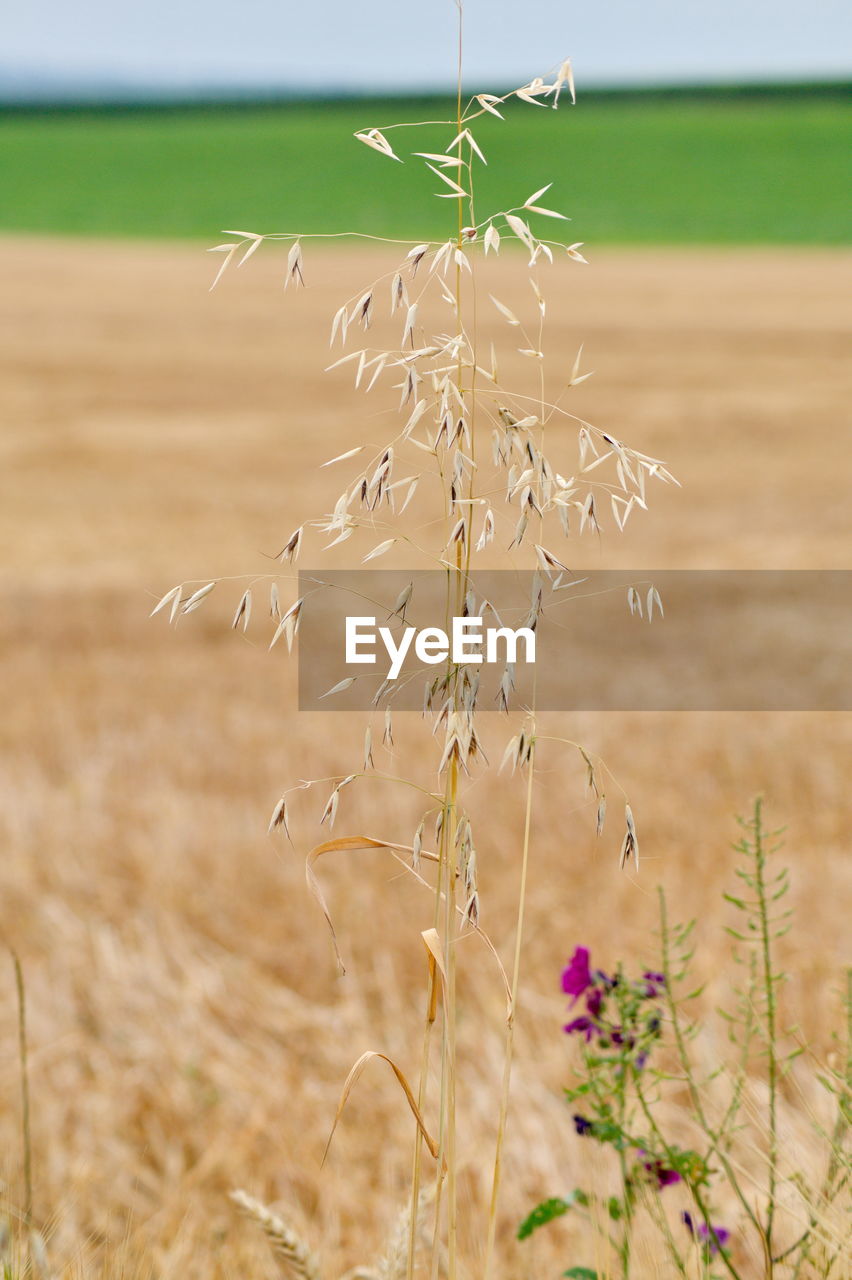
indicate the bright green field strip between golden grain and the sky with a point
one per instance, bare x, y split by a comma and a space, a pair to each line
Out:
633, 171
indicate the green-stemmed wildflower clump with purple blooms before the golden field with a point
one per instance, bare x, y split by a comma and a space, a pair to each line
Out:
635, 1052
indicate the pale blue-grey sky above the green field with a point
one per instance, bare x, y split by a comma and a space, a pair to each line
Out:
410, 44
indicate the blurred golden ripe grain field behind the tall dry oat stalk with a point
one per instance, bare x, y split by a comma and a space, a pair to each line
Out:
189, 1031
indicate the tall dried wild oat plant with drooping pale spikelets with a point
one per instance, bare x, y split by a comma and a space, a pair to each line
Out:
470, 468
